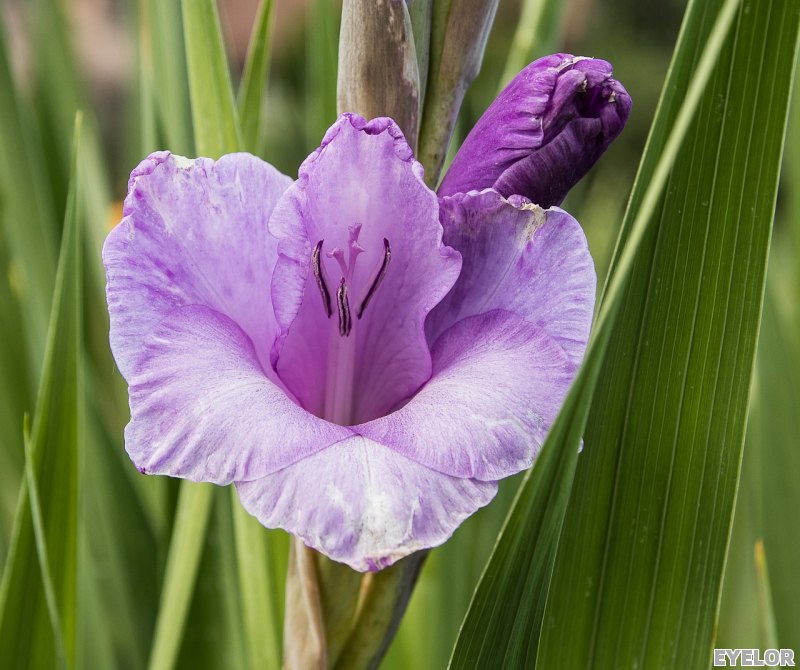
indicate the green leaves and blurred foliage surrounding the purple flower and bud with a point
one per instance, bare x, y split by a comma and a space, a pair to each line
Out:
614, 558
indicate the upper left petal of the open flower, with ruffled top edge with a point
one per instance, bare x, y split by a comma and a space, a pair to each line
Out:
194, 232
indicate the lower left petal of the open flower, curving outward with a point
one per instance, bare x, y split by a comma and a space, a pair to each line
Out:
203, 409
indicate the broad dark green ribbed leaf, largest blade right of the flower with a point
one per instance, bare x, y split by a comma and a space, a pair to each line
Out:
641, 557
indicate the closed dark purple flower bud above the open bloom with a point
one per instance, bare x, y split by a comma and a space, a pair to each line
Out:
543, 132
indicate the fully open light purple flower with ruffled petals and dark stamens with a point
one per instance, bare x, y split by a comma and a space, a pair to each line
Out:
362, 360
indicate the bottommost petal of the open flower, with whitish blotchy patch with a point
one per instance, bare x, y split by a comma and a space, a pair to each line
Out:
363, 504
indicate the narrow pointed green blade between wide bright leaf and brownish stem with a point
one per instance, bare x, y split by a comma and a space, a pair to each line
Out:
254, 80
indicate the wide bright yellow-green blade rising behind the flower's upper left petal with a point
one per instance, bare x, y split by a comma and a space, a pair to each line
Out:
216, 130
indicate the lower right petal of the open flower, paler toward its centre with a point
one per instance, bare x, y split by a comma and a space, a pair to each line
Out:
497, 384
